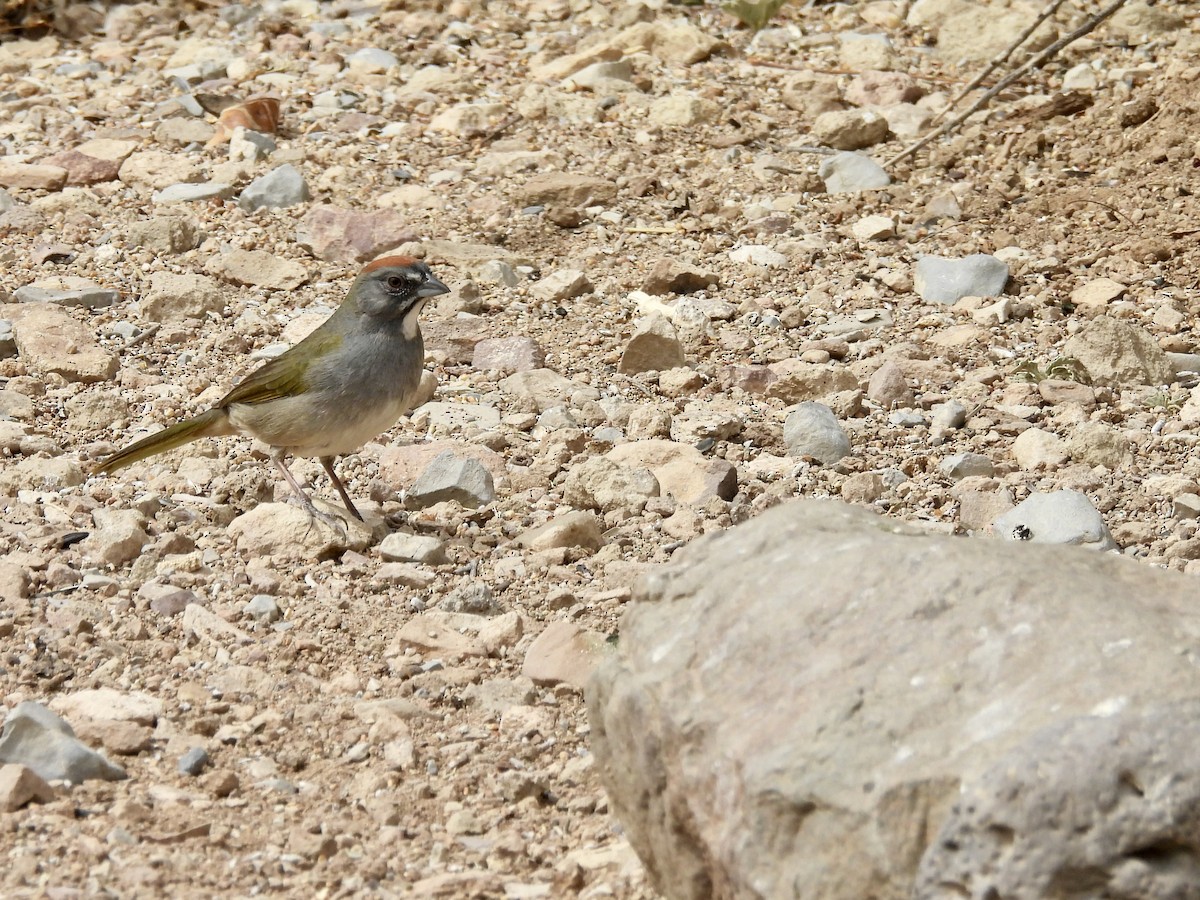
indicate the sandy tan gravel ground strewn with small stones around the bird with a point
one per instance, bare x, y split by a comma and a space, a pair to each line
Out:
351, 757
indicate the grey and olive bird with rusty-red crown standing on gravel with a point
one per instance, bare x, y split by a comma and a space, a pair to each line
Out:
346, 383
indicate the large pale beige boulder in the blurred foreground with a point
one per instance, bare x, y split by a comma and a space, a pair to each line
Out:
827, 705
